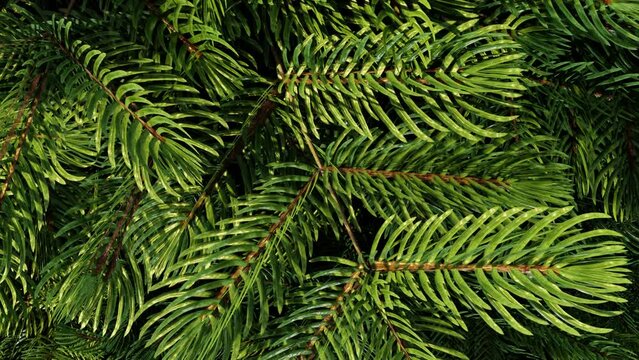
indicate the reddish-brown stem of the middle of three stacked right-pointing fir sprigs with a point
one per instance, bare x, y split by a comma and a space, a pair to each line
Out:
389, 174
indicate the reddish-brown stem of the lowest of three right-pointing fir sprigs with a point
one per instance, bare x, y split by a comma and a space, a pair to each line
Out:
390, 266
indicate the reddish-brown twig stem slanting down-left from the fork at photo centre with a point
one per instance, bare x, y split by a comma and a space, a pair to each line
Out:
236, 276
